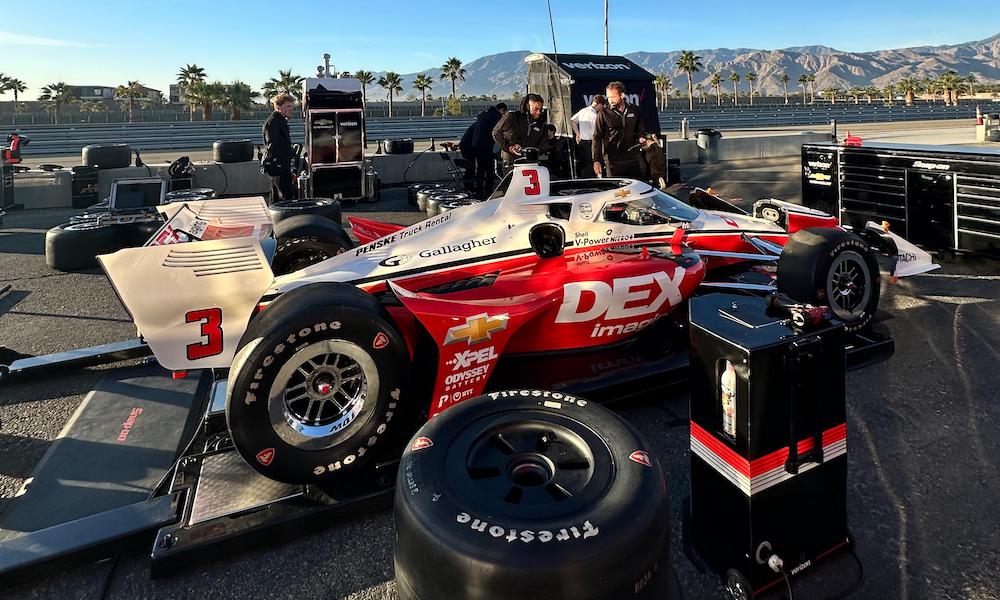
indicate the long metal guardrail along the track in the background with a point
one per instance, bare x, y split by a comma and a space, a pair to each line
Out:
62, 139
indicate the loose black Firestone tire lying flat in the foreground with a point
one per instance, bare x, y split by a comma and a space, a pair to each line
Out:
530, 494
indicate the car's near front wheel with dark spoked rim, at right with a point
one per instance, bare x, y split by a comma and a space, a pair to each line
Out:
832, 267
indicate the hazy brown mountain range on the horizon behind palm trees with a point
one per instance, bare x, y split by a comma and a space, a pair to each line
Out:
505, 73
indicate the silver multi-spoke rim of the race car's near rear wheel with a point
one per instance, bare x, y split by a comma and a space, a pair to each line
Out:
320, 392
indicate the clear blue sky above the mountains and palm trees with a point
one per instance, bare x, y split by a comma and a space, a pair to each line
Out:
110, 42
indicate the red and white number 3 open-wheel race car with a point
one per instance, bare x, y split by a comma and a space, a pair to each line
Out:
328, 362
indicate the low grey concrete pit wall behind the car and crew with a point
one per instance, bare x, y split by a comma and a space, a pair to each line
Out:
40, 189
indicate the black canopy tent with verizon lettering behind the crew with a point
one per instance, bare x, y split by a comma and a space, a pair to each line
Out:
570, 83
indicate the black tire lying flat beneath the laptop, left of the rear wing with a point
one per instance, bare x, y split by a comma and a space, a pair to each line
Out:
75, 246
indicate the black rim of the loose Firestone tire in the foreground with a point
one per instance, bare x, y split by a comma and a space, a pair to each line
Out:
530, 464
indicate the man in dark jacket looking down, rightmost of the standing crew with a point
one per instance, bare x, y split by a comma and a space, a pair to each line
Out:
617, 136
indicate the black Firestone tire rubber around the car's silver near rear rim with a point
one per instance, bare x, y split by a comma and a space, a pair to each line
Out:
259, 362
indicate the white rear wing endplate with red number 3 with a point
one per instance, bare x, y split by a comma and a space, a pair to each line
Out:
191, 302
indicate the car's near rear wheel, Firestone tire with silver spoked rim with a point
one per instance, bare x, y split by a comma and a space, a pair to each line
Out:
280, 416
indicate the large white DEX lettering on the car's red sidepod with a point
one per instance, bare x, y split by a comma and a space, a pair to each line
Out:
623, 298
